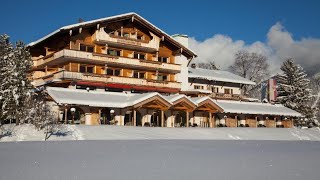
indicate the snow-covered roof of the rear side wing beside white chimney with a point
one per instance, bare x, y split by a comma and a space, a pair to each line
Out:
217, 75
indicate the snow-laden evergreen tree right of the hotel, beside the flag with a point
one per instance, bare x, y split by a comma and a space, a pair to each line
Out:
293, 88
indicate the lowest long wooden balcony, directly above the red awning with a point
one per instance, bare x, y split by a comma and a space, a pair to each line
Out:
75, 76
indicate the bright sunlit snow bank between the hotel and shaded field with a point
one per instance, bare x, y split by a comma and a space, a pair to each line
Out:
82, 132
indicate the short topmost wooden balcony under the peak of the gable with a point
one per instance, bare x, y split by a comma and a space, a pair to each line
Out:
103, 38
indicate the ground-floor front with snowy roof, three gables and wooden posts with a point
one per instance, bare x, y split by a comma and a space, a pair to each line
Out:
154, 109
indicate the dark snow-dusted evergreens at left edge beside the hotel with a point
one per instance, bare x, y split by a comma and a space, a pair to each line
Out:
15, 66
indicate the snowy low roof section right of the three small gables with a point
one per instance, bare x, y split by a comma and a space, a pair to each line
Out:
241, 107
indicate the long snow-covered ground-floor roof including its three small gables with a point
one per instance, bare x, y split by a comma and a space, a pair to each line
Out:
122, 100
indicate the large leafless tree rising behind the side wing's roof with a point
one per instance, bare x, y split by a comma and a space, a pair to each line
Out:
252, 66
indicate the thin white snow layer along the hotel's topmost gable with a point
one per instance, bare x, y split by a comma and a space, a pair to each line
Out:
96, 21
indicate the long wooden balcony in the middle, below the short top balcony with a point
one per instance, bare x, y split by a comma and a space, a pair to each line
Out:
66, 55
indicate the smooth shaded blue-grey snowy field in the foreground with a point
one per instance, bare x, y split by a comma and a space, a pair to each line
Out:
160, 159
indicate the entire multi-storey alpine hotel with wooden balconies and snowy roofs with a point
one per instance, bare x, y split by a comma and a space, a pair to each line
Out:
123, 70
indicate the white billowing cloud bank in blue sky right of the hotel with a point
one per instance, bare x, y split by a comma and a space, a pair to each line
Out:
279, 46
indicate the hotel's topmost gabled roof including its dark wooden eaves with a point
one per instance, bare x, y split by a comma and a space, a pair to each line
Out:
130, 15
